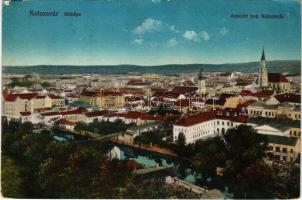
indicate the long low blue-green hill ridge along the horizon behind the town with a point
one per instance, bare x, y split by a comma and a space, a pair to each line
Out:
282, 66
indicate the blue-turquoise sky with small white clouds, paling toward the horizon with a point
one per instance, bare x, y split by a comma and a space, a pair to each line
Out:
149, 32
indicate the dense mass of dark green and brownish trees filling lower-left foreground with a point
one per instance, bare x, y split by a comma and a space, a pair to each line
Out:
36, 166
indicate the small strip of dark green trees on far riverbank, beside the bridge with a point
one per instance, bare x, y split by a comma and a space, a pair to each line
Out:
103, 127
